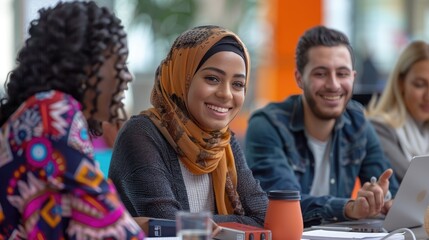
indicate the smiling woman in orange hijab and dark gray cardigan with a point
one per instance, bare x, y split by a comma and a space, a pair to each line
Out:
181, 154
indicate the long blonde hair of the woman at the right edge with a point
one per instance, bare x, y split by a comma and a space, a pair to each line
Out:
390, 107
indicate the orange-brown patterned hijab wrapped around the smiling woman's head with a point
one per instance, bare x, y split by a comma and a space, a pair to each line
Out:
200, 151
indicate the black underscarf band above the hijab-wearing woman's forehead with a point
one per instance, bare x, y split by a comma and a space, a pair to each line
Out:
228, 44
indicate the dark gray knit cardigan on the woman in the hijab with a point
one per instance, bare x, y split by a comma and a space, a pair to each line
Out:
146, 172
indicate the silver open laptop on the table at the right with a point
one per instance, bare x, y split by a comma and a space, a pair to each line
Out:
409, 205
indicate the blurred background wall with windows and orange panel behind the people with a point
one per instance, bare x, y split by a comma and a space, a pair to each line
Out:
378, 30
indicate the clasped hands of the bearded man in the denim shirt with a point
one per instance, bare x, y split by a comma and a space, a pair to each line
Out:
370, 199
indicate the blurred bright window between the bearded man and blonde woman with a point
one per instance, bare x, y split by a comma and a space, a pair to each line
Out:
381, 30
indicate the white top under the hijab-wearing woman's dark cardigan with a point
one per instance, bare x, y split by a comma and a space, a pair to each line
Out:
199, 189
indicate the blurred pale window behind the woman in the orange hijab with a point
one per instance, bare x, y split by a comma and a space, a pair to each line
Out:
153, 25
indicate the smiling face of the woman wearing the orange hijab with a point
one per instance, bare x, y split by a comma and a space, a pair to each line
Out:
217, 90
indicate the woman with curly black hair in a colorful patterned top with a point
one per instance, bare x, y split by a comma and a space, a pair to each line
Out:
70, 76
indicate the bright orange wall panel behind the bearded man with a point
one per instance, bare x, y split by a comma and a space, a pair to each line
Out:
289, 19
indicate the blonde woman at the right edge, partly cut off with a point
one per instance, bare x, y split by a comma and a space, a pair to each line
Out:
401, 114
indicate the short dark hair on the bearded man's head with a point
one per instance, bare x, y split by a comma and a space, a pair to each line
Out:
319, 36
